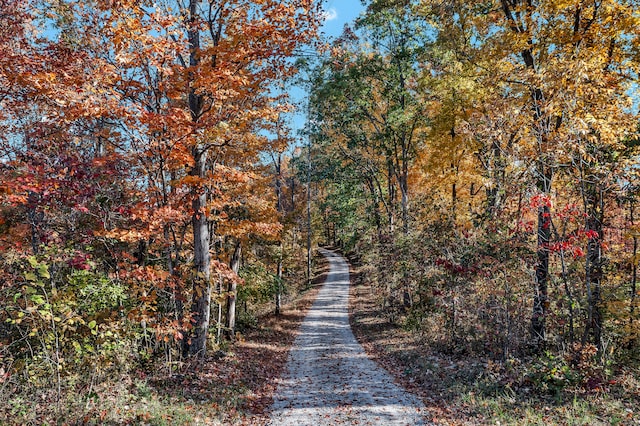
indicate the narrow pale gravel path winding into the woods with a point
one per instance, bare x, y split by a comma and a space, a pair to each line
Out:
330, 380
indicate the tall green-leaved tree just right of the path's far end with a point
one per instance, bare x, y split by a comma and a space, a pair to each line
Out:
372, 81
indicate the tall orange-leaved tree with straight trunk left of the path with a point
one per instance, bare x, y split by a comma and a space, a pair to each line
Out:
216, 98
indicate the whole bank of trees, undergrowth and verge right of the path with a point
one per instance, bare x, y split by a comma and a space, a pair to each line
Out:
478, 162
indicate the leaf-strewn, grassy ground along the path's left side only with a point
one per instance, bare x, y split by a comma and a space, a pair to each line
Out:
233, 385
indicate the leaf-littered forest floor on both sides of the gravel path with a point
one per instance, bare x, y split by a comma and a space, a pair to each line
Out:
236, 385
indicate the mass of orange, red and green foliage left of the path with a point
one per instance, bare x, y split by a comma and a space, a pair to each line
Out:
98, 150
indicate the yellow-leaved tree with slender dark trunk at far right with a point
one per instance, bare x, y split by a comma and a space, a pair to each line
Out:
551, 60
